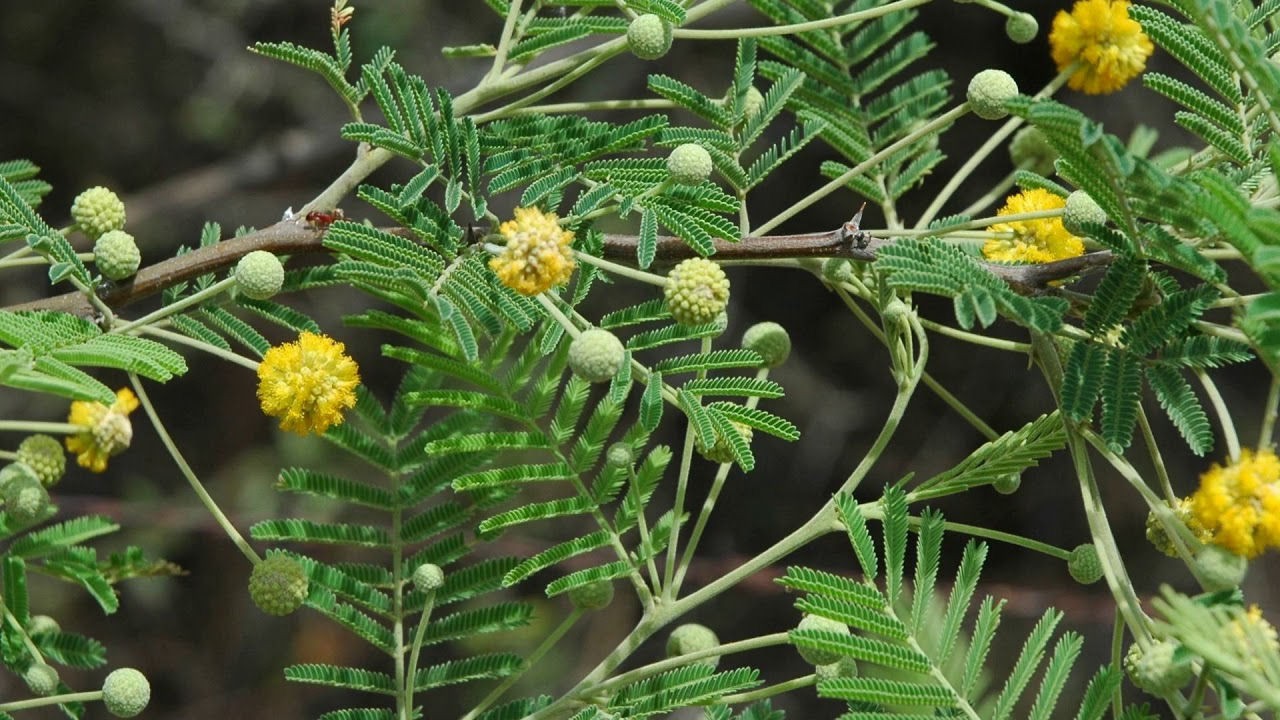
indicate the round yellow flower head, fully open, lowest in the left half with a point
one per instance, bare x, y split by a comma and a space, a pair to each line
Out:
308, 384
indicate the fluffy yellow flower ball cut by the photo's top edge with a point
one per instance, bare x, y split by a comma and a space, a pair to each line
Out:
1109, 45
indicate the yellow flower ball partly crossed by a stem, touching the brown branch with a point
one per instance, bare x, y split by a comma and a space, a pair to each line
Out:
1032, 241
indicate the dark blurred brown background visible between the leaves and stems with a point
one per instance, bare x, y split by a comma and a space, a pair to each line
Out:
162, 102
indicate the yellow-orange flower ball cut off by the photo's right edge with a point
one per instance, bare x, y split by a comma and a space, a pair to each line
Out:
1240, 505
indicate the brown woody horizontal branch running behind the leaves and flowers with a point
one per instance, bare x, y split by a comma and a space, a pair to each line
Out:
299, 238
